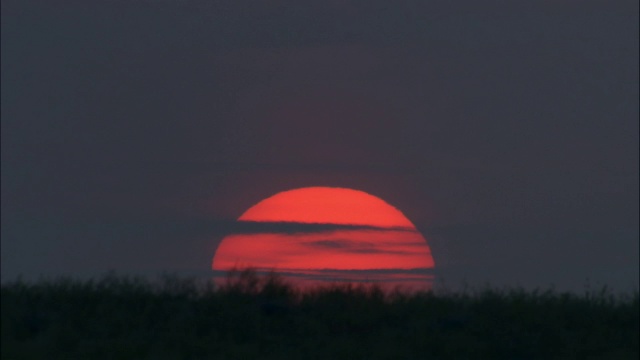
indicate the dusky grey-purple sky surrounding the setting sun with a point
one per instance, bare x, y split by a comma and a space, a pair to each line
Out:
135, 132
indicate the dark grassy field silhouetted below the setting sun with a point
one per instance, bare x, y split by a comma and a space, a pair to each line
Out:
251, 318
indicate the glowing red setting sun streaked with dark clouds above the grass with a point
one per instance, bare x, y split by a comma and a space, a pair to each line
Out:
361, 237
